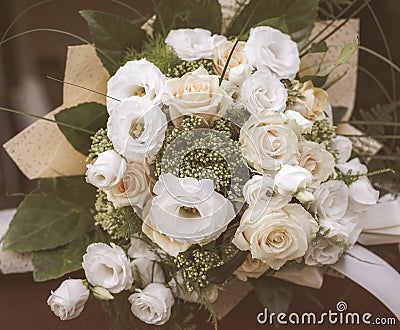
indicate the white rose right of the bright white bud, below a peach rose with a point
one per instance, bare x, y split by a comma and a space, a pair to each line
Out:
331, 199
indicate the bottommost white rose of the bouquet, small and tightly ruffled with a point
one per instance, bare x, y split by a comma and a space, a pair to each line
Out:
153, 304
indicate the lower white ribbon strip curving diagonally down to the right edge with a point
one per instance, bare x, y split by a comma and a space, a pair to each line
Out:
373, 274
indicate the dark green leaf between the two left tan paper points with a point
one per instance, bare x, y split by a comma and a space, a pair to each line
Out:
91, 116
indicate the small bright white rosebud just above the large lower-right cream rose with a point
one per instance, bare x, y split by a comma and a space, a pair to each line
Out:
291, 179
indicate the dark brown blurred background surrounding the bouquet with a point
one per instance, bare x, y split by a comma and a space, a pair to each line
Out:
27, 60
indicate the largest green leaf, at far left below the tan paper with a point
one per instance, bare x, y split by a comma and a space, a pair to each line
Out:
55, 213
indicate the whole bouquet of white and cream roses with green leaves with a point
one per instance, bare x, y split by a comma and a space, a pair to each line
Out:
208, 157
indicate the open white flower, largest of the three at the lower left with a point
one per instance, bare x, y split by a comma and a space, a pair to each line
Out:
107, 266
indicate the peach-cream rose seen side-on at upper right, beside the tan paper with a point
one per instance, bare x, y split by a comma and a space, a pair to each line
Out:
312, 103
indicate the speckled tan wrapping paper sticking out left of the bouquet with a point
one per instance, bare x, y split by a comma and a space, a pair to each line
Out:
41, 150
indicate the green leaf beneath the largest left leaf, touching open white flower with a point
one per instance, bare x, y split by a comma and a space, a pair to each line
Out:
51, 264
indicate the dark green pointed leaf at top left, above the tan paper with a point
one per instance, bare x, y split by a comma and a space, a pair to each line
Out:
112, 35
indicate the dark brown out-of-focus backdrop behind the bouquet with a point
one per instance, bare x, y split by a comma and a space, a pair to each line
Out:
24, 65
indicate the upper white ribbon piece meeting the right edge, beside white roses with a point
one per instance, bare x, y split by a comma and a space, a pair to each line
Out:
381, 224
